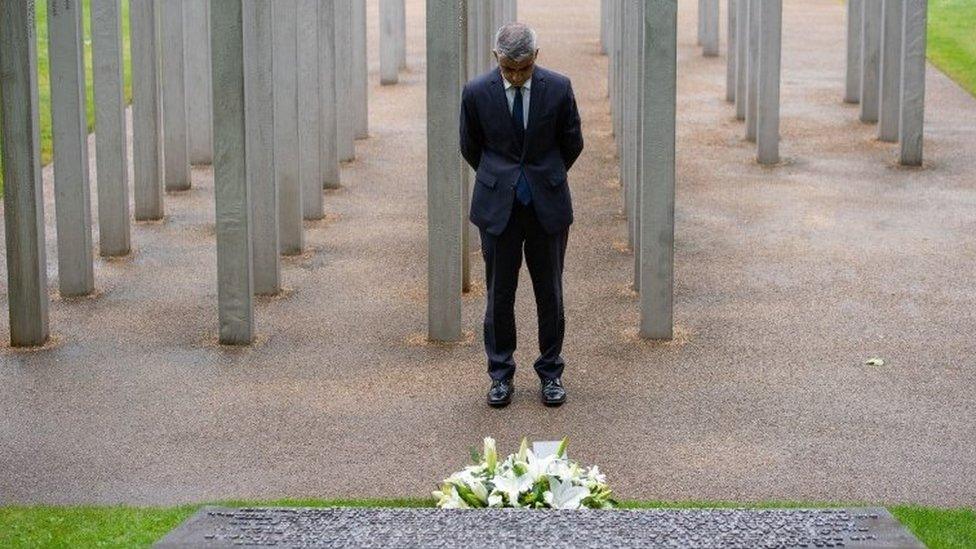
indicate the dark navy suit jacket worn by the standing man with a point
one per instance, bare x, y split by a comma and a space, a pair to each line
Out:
553, 142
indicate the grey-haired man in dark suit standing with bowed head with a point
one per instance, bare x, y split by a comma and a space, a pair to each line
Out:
520, 130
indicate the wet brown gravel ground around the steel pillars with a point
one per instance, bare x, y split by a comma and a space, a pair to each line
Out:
787, 279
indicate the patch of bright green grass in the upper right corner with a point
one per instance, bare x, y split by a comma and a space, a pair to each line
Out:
952, 40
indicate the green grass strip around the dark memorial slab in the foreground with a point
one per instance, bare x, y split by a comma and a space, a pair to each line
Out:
46, 526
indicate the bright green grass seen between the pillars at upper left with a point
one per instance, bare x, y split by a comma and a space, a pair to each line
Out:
44, 75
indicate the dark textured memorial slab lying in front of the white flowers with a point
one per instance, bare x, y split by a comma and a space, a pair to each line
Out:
428, 527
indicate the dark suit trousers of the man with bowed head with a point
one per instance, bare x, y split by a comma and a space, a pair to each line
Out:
544, 256
